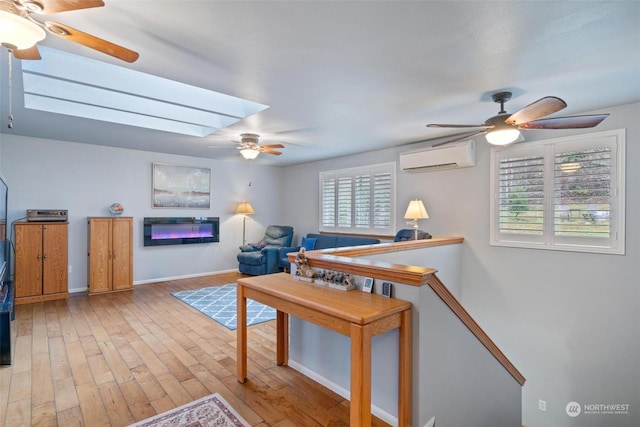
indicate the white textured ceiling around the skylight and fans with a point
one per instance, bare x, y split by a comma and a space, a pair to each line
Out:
343, 77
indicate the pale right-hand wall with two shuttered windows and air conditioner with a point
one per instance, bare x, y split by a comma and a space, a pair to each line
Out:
570, 322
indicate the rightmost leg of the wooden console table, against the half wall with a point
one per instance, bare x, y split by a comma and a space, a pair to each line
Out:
404, 370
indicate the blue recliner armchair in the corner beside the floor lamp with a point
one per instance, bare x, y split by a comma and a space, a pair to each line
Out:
263, 257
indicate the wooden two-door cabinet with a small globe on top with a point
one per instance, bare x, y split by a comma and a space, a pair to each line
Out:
110, 254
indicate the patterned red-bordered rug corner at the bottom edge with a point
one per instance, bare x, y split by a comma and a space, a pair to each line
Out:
209, 411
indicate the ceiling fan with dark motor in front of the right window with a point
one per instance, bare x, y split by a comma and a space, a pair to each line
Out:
504, 128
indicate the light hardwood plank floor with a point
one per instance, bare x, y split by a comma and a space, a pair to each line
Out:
113, 359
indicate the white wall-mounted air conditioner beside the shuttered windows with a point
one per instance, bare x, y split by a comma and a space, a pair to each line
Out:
450, 156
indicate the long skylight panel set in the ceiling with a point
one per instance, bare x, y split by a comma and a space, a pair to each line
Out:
77, 86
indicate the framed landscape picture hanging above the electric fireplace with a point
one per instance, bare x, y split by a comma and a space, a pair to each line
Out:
178, 186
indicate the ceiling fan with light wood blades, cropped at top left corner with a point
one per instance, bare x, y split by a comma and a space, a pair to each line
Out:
20, 31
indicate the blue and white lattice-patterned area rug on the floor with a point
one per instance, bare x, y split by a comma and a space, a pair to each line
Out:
219, 303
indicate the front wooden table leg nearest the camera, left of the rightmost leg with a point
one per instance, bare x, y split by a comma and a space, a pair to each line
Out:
360, 413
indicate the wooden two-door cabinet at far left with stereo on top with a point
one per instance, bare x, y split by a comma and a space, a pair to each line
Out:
41, 261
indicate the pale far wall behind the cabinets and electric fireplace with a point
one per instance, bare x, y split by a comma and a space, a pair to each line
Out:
86, 179
